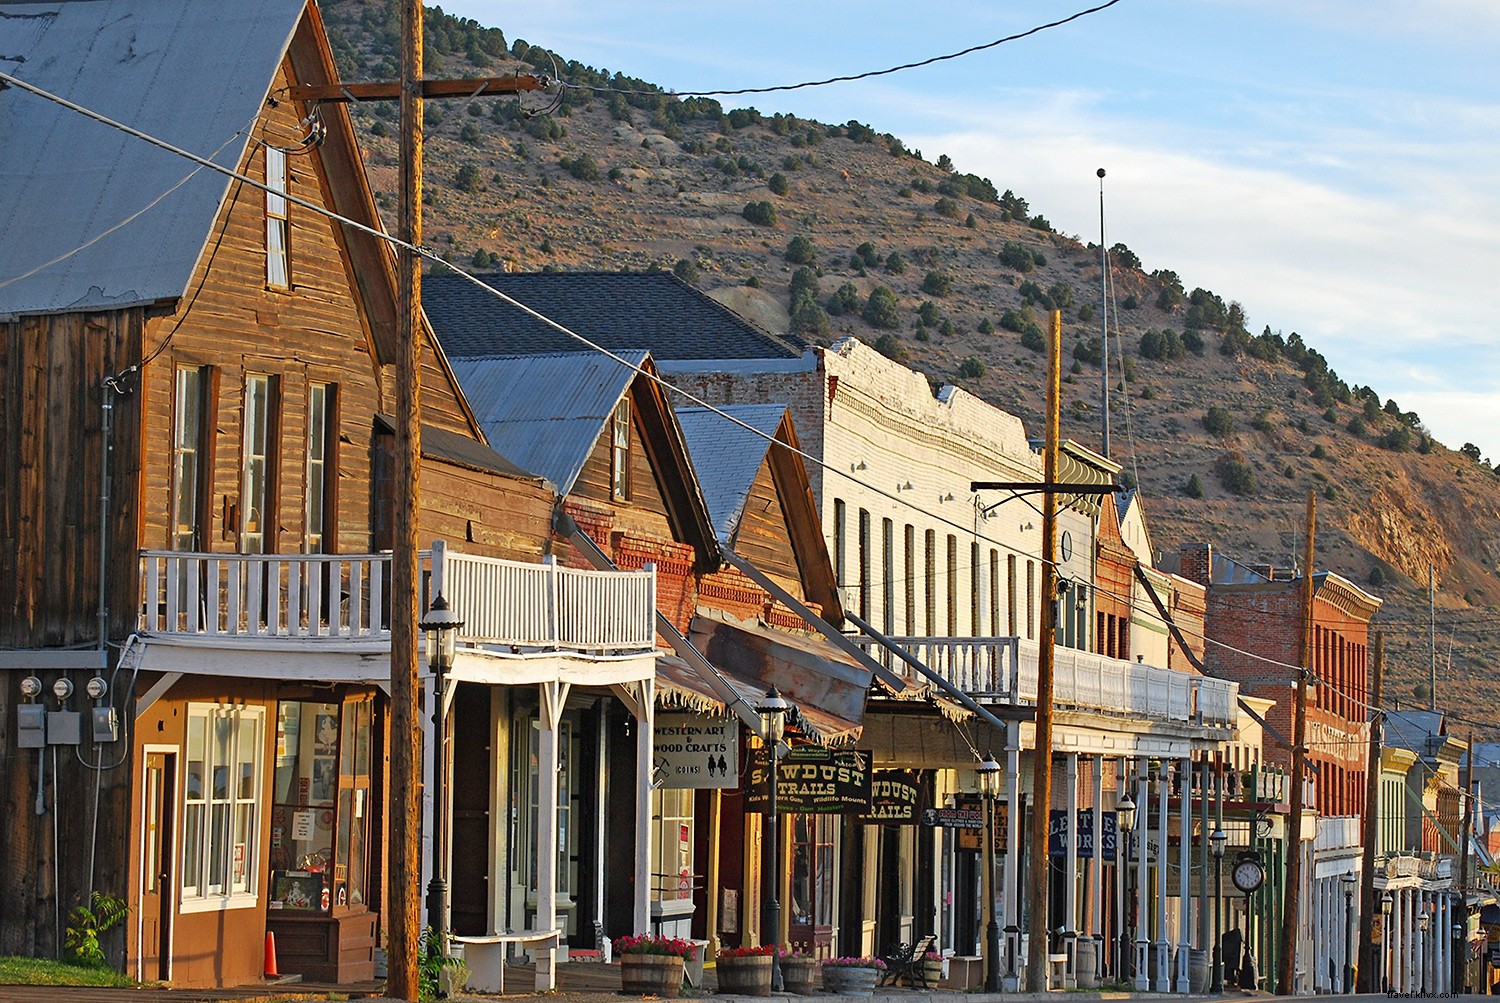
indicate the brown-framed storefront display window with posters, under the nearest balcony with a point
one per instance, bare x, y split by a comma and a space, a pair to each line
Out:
320, 818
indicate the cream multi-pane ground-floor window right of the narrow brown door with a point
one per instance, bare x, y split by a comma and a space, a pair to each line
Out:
223, 807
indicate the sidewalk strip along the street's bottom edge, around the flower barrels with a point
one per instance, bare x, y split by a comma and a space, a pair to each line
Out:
578, 983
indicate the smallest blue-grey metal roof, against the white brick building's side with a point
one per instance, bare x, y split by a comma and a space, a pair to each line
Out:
728, 457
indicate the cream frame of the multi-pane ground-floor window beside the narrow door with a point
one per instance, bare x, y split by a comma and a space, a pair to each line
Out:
244, 815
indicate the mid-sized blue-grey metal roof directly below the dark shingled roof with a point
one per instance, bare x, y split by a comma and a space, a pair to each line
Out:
545, 413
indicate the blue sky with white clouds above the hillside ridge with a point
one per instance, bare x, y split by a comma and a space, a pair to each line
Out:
1331, 166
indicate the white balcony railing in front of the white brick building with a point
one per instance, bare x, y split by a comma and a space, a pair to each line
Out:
1004, 671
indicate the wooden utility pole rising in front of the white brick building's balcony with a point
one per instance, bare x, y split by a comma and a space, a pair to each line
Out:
1042, 758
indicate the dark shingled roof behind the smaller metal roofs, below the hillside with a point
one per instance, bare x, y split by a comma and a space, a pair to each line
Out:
614, 310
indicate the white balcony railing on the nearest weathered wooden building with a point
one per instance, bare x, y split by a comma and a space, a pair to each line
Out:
347, 597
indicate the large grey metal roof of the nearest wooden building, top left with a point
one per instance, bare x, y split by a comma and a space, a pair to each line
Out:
193, 73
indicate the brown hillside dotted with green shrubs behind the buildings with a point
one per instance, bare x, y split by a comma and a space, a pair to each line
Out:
650, 182
